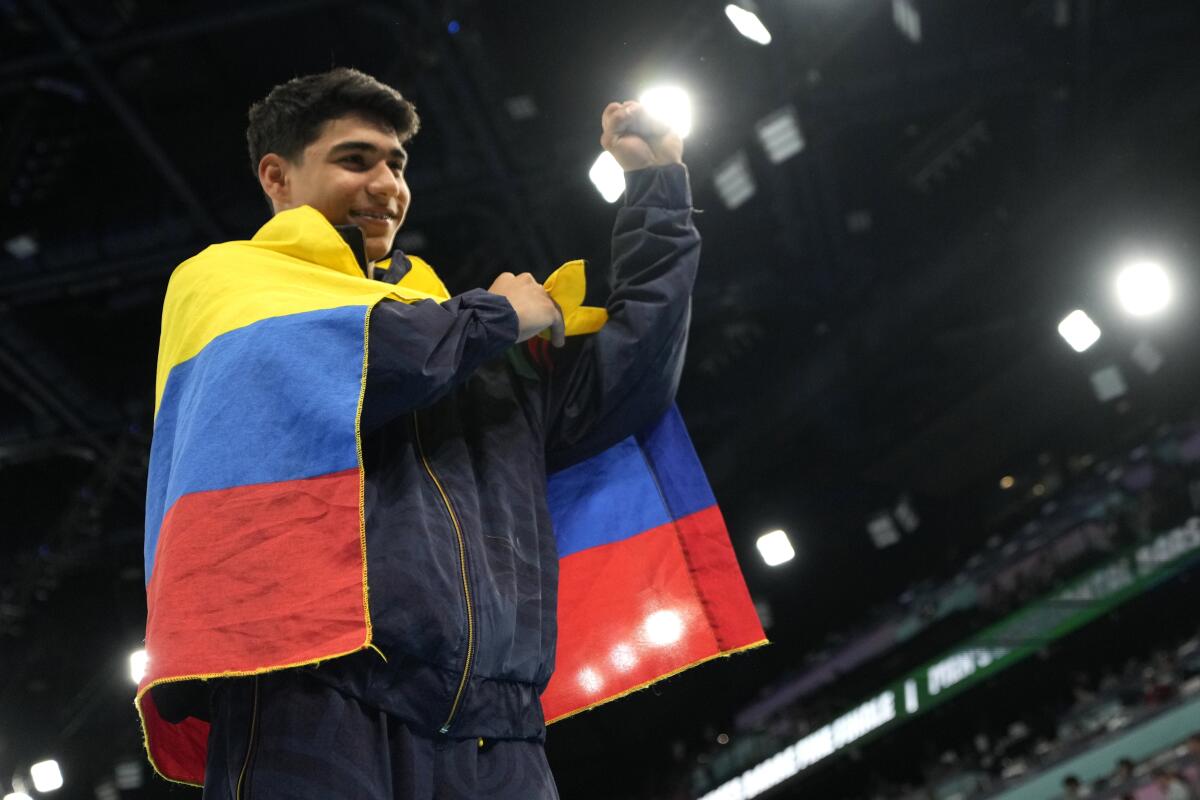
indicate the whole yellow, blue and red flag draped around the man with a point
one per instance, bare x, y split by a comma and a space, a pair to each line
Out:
255, 543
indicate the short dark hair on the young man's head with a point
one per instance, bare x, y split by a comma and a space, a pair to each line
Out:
292, 116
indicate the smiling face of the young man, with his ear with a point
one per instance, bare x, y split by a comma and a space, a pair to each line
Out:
353, 173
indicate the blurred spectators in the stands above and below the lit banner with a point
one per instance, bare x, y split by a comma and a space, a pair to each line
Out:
1087, 512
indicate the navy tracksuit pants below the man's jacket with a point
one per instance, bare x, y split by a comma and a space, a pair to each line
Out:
289, 737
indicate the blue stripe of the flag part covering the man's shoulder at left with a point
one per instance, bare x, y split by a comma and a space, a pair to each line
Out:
224, 422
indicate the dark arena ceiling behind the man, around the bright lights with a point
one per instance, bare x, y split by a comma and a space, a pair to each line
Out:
877, 322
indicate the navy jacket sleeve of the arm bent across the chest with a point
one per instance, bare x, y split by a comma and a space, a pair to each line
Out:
419, 352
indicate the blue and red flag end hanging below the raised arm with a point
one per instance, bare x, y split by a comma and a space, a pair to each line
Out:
649, 584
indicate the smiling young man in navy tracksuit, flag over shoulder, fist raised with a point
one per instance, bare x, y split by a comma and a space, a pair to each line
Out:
463, 414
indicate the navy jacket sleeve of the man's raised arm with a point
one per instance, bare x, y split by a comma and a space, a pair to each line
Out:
607, 387
